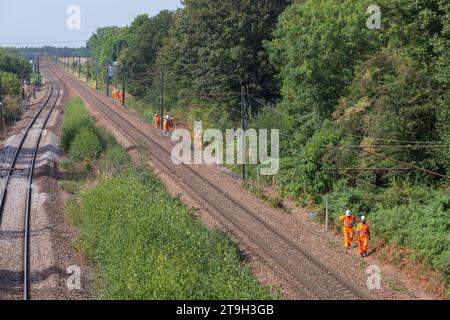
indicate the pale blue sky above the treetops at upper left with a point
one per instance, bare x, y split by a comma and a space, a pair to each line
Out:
36, 23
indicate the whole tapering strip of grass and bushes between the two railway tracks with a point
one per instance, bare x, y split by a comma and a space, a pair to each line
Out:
144, 243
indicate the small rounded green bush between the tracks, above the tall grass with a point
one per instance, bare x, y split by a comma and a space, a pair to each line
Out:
85, 146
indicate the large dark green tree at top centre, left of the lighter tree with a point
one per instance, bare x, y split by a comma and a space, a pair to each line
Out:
217, 46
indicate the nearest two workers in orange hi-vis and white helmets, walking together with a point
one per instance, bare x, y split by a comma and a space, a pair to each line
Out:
362, 232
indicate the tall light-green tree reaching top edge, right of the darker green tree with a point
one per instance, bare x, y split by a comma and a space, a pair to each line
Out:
315, 48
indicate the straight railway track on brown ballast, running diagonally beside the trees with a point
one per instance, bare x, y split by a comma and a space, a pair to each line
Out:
310, 276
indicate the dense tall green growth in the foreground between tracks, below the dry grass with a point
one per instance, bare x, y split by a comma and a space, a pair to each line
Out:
147, 245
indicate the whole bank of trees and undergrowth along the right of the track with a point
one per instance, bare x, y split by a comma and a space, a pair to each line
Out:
364, 114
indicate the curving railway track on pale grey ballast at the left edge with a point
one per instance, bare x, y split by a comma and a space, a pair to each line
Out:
15, 198
